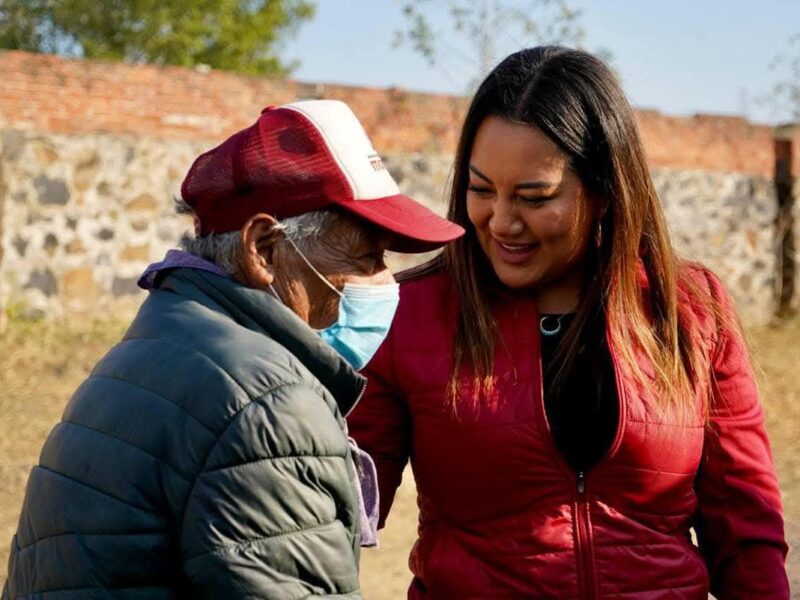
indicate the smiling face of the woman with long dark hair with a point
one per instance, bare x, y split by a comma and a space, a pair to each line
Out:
531, 213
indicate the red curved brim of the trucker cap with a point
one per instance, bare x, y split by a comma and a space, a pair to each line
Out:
414, 228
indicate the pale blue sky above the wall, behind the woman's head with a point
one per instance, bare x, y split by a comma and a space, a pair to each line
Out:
680, 57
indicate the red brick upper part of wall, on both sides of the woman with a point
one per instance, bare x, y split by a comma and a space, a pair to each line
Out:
73, 96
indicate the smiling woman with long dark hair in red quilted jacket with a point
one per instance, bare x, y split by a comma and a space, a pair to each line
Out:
573, 398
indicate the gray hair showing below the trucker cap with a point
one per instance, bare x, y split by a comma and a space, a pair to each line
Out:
224, 249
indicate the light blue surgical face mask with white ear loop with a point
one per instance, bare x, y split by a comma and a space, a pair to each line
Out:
365, 315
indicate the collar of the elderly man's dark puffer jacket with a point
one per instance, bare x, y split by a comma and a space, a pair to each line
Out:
259, 311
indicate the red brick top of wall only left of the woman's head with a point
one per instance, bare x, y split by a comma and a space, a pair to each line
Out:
52, 94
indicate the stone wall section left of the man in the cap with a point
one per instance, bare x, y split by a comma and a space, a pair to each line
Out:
83, 214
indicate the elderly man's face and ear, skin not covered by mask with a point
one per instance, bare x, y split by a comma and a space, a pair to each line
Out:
351, 251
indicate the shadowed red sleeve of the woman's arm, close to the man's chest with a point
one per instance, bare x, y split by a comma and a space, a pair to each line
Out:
381, 425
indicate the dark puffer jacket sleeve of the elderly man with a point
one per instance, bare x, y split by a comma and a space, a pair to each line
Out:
271, 514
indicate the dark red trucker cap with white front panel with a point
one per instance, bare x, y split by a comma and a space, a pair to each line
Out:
301, 157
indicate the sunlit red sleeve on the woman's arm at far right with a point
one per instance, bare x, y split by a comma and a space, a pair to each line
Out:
739, 522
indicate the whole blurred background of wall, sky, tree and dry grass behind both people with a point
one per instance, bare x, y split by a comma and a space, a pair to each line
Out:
103, 105
